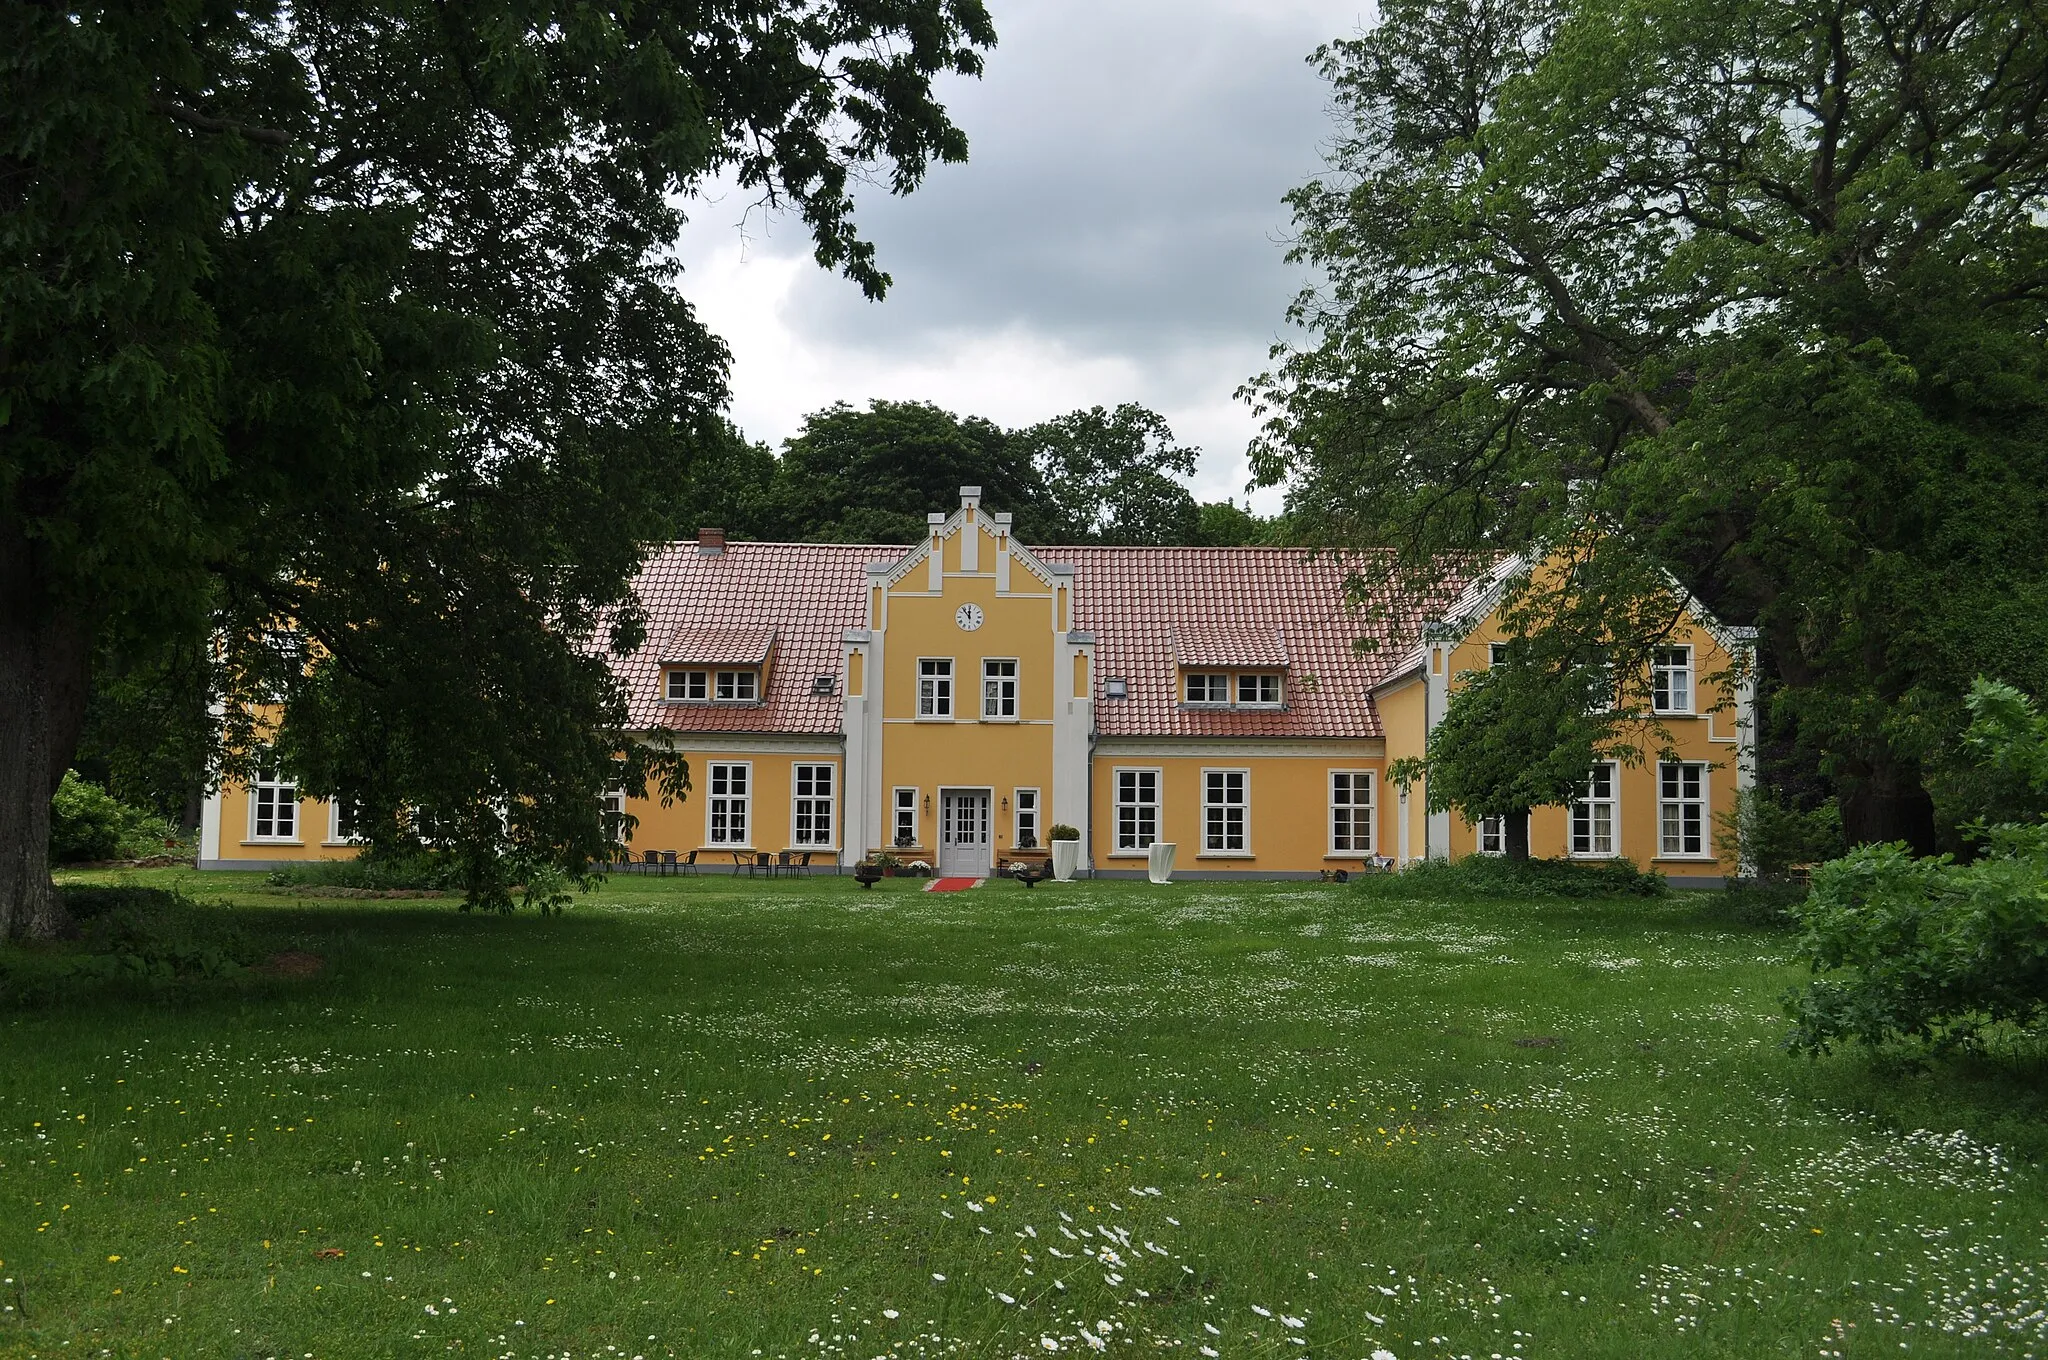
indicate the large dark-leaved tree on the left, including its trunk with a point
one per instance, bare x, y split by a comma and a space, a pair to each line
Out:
347, 335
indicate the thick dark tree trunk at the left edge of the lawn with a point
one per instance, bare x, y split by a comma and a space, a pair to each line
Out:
44, 669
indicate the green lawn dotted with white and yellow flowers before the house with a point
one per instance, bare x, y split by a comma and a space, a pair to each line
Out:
742, 1119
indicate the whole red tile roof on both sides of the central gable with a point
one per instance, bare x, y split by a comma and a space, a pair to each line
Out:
1224, 607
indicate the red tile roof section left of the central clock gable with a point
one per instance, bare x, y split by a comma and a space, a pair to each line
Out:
802, 595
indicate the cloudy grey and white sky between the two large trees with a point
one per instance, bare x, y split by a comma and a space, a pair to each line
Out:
1117, 235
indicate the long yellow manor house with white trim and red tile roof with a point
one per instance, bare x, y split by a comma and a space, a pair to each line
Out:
955, 702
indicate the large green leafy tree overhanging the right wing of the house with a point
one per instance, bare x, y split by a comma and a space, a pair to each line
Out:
1754, 292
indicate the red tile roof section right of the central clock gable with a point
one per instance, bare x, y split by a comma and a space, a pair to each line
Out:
1267, 605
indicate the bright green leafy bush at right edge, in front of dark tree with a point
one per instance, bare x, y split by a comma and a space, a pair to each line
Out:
1926, 949
